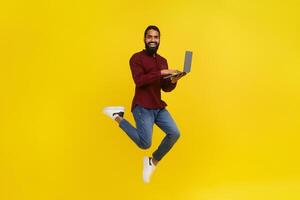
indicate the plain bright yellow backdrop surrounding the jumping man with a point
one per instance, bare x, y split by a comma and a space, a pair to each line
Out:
238, 110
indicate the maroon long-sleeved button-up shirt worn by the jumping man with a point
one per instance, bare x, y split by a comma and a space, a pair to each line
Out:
148, 81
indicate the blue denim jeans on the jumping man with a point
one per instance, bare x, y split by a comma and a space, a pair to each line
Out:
142, 134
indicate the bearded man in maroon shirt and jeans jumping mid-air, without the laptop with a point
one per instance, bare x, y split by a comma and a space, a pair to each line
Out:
148, 69
